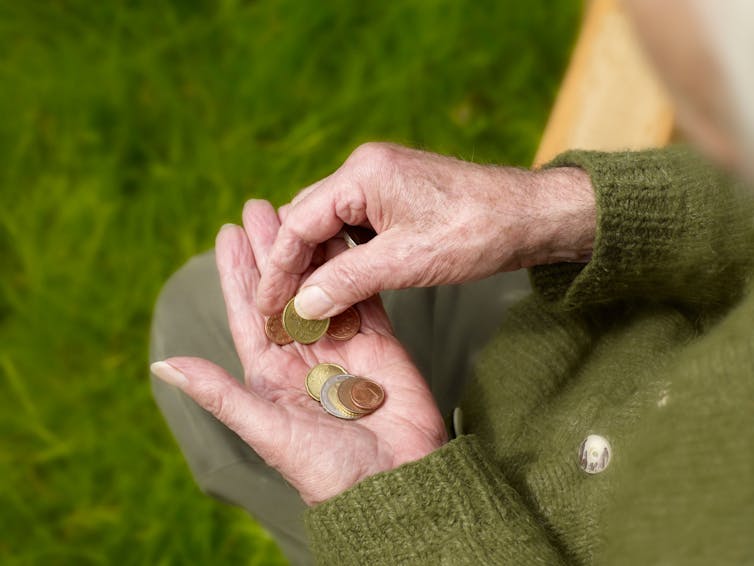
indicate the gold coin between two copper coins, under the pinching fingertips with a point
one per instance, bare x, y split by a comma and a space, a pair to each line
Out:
288, 326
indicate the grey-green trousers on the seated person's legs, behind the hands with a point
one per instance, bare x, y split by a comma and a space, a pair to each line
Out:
442, 327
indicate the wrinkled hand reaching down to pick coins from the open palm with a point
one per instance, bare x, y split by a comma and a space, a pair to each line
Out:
439, 220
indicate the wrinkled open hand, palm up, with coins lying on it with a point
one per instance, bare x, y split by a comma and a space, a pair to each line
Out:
317, 453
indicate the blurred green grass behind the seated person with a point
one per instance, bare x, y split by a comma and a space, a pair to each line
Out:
129, 132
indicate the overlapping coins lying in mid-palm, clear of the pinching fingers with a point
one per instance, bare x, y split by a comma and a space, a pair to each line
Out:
341, 394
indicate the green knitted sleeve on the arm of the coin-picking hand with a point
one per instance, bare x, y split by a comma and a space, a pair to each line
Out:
669, 228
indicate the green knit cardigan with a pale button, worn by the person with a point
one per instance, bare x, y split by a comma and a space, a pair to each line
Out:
650, 345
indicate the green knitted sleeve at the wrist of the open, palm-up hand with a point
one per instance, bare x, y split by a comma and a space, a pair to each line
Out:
452, 507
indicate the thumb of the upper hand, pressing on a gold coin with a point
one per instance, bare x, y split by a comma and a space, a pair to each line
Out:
354, 276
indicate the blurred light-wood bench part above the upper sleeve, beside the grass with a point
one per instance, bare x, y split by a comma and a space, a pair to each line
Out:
610, 98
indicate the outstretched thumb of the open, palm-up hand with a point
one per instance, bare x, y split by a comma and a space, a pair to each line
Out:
252, 418
